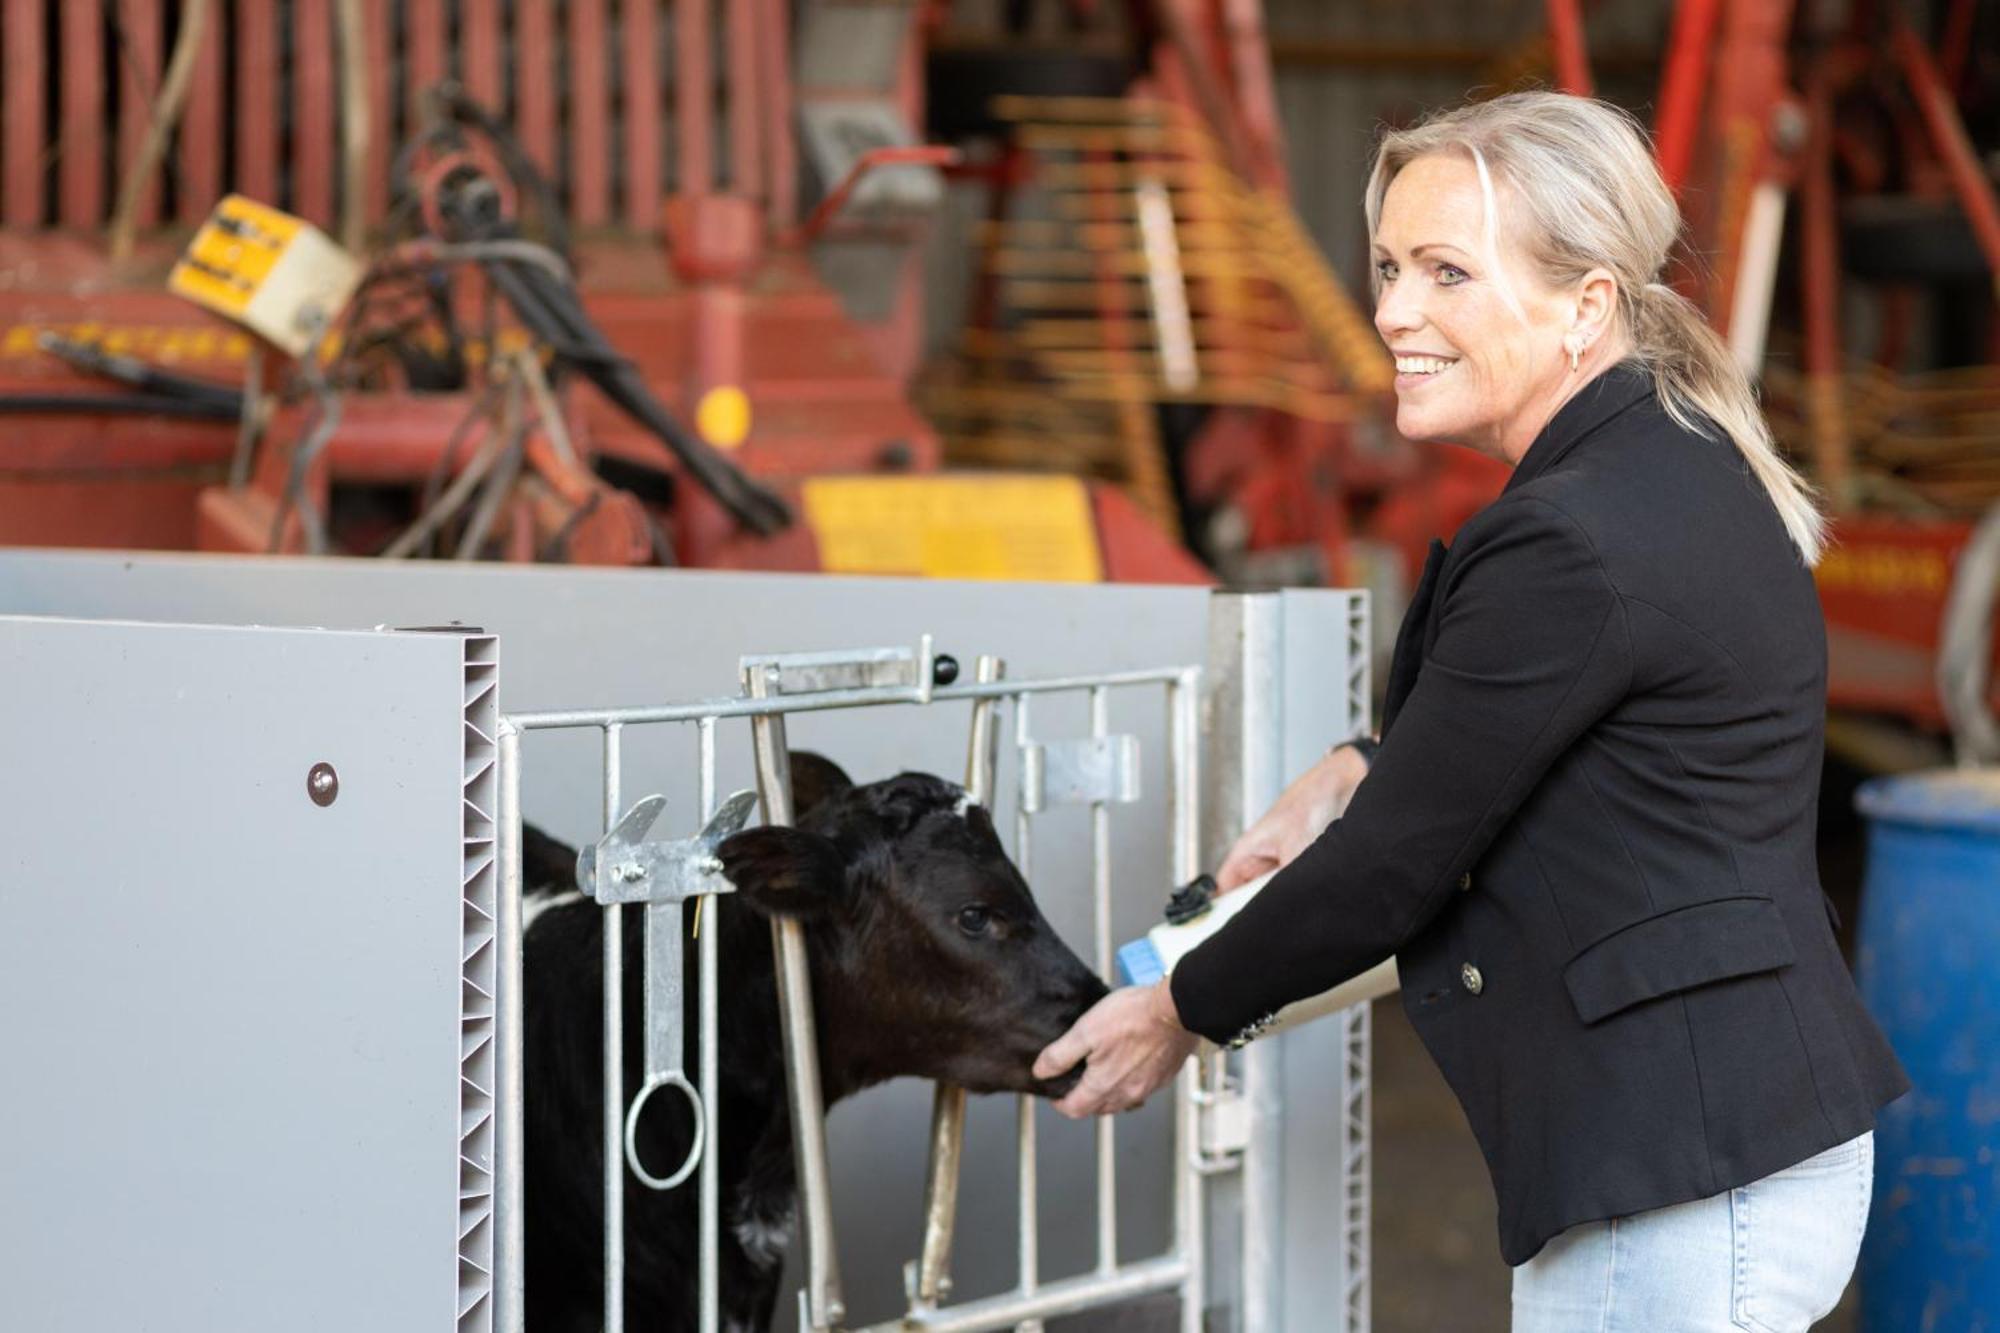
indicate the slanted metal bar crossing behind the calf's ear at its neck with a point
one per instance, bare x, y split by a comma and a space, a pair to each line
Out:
801, 1036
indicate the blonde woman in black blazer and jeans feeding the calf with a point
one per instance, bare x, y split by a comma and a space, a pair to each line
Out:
1589, 830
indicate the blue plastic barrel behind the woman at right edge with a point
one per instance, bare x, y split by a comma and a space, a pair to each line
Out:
1931, 976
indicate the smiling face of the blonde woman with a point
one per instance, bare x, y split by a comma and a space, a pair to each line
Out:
1473, 367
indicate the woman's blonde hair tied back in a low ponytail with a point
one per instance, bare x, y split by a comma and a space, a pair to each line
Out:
1591, 197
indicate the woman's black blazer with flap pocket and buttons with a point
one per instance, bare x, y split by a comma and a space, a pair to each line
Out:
1589, 838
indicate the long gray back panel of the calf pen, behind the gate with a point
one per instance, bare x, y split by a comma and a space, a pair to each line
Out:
631, 637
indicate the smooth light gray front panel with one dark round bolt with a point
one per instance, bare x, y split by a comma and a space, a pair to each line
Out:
233, 1034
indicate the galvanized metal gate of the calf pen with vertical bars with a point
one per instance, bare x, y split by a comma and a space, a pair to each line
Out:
1219, 1100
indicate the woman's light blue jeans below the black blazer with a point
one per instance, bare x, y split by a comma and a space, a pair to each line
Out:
1767, 1258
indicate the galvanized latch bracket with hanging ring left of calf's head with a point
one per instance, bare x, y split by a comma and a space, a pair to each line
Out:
625, 868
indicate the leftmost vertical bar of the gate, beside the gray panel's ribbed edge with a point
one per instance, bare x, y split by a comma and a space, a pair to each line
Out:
509, 1130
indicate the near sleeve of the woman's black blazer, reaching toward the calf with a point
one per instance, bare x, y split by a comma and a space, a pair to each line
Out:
1531, 651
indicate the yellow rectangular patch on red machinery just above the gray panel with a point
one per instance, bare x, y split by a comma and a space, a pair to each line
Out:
955, 527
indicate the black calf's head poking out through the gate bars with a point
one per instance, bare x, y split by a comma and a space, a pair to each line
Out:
929, 954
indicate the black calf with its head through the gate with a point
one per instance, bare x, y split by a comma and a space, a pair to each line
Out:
929, 958
